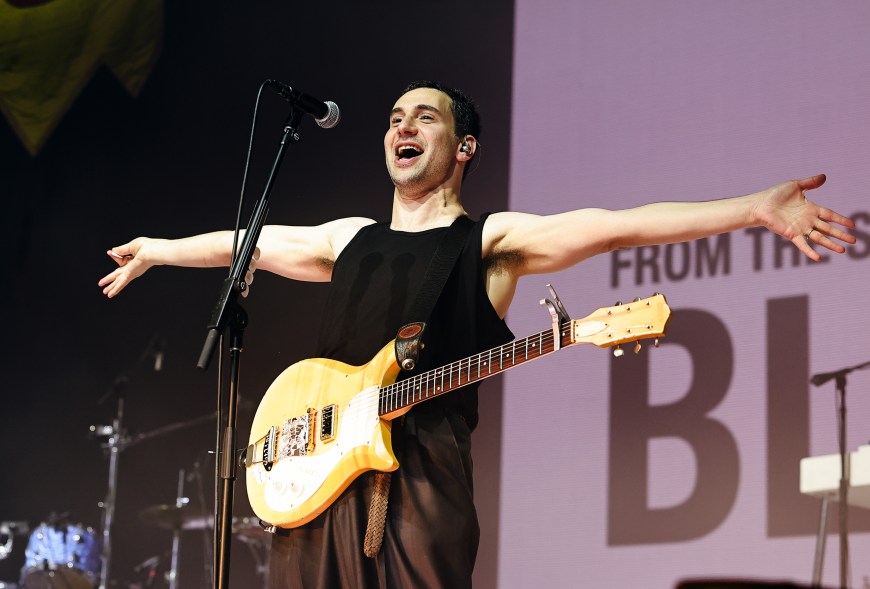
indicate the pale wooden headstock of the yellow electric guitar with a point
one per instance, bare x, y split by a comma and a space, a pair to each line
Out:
622, 323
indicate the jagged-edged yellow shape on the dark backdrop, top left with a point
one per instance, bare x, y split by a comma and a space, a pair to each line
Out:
50, 49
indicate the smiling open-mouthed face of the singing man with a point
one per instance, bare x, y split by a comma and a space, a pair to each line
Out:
420, 144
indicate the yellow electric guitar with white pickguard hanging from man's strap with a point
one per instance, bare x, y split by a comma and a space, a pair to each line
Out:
322, 423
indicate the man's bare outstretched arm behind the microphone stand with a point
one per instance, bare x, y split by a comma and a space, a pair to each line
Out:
300, 253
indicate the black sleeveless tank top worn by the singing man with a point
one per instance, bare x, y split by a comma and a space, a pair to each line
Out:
375, 282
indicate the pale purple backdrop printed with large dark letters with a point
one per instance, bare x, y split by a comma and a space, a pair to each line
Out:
683, 461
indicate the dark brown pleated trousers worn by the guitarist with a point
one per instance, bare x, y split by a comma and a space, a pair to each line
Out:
431, 533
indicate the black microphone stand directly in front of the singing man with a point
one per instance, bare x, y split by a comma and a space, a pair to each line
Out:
228, 313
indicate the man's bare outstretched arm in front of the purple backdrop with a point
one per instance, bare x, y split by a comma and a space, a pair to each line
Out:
538, 244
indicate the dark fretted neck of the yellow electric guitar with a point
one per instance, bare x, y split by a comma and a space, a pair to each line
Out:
433, 383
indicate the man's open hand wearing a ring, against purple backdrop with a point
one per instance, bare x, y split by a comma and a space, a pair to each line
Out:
785, 210
